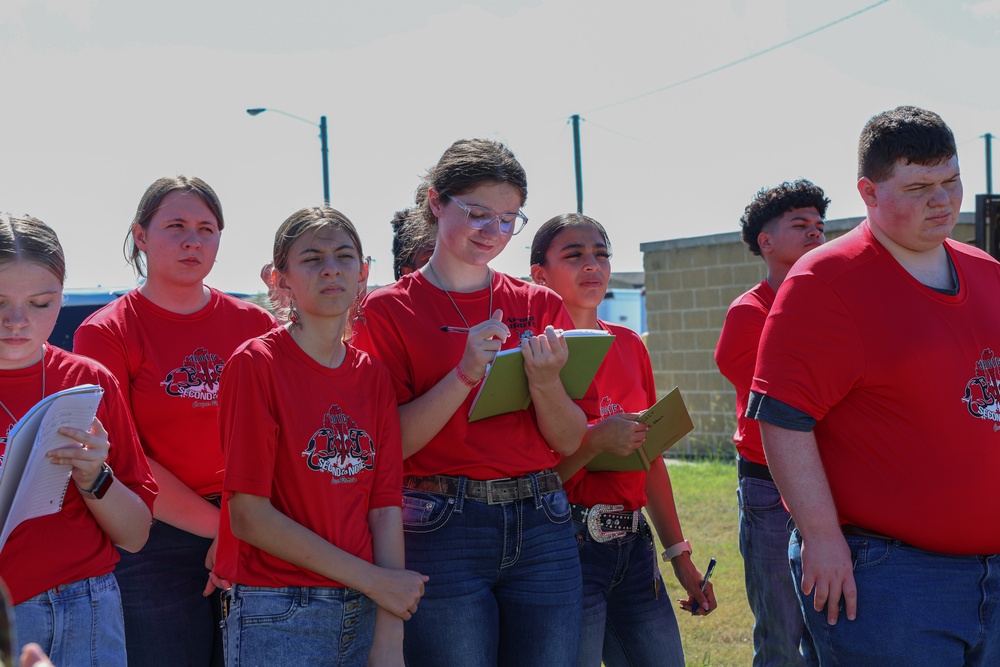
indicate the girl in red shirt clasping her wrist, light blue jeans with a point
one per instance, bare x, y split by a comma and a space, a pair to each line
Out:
310, 430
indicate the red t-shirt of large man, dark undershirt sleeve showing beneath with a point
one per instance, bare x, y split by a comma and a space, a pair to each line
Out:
905, 384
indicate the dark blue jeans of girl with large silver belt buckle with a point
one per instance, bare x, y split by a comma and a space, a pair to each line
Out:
626, 621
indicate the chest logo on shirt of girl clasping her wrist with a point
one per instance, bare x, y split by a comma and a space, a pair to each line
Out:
340, 447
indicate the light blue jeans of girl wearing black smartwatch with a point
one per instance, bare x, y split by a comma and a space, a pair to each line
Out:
79, 624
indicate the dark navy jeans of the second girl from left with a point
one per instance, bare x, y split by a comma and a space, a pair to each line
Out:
167, 620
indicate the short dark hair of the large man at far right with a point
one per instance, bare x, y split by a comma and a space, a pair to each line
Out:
911, 134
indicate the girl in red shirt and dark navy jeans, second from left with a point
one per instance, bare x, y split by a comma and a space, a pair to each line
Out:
167, 343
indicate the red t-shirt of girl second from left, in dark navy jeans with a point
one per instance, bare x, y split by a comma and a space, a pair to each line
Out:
168, 366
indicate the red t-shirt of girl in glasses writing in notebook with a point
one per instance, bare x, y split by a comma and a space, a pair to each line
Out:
402, 328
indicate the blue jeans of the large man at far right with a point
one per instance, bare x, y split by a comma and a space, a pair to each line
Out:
915, 608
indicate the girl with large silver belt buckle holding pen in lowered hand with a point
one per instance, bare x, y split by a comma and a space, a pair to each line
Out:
628, 618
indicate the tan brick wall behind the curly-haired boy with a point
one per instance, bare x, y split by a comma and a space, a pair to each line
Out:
690, 283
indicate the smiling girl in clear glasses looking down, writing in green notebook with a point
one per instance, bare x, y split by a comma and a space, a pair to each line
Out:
484, 514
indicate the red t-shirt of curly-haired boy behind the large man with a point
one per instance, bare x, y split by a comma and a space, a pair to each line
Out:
736, 357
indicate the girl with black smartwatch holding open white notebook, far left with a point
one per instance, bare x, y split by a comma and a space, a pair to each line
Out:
58, 567
